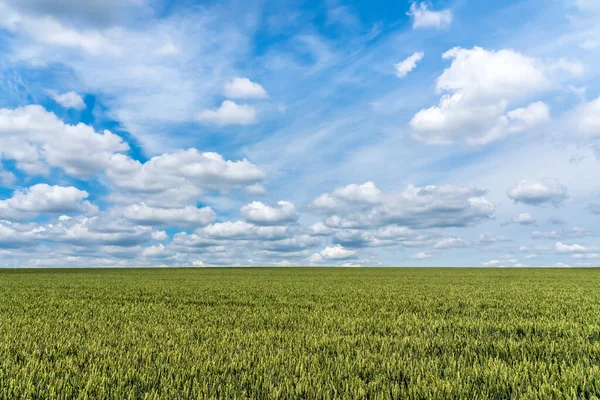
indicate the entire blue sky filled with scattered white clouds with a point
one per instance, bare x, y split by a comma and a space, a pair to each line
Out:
281, 133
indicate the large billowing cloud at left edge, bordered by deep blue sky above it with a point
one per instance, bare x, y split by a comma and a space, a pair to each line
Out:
30, 136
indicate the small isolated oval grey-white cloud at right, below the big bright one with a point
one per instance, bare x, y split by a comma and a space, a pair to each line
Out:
538, 192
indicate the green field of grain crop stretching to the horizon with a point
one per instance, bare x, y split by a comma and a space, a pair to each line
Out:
300, 333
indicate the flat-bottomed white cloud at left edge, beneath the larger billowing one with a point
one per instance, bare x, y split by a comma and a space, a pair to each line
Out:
42, 198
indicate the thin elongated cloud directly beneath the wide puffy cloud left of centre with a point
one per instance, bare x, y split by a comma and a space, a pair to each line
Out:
186, 216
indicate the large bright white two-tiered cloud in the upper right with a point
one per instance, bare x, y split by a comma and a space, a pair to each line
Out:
477, 91
